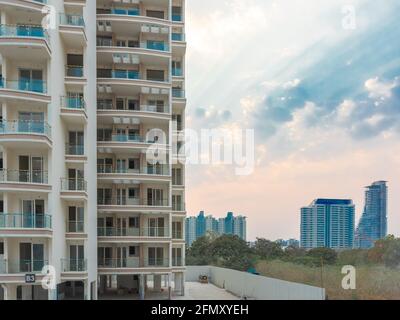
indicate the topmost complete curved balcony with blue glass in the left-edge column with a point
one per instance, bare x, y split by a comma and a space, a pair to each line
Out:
33, 39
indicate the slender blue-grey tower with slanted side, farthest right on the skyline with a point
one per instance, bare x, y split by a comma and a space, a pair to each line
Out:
373, 222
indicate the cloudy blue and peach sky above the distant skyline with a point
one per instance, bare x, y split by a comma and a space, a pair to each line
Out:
321, 91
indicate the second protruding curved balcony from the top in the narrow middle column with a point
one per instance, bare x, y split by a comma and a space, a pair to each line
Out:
73, 110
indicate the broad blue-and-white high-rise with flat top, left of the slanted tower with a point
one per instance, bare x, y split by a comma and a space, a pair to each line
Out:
327, 223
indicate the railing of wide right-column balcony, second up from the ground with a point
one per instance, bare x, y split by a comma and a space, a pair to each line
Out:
133, 232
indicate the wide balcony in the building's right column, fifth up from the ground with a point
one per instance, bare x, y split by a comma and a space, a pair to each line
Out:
128, 143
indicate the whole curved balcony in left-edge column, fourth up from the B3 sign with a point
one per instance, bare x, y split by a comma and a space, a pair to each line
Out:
20, 134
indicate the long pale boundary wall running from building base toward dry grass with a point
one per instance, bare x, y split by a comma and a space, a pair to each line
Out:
253, 286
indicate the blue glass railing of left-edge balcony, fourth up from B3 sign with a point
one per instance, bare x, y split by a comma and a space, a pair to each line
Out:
25, 127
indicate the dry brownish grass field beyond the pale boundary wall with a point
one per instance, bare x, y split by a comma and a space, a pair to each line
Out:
373, 282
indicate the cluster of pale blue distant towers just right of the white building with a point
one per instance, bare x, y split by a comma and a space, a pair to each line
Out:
199, 226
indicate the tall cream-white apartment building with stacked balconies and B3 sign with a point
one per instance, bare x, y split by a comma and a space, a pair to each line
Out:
78, 191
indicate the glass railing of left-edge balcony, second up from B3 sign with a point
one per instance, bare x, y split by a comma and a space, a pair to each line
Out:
25, 221
